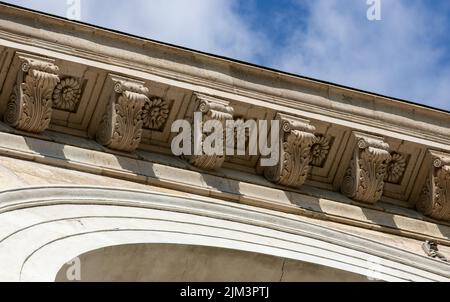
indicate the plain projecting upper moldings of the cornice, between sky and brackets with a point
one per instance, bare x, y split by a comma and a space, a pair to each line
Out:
268, 86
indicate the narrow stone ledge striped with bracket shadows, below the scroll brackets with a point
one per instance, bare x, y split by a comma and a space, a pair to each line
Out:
146, 172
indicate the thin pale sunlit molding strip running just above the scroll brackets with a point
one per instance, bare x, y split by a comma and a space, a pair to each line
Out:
436, 138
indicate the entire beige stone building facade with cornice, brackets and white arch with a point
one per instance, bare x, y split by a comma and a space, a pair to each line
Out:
90, 186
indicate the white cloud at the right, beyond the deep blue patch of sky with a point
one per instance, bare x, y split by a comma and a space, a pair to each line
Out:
397, 56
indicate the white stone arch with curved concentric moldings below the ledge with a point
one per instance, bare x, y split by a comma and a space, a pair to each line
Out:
42, 228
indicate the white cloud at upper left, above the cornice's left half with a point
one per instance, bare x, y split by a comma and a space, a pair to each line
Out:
212, 26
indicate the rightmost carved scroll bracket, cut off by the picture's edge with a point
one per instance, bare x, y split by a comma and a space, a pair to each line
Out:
434, 200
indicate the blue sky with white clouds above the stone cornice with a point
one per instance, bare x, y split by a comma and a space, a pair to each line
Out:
406, 54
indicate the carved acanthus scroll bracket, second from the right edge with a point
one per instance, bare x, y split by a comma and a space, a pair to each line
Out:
364, 179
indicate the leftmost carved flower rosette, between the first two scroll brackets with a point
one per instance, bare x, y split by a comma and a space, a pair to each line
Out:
67, 94
